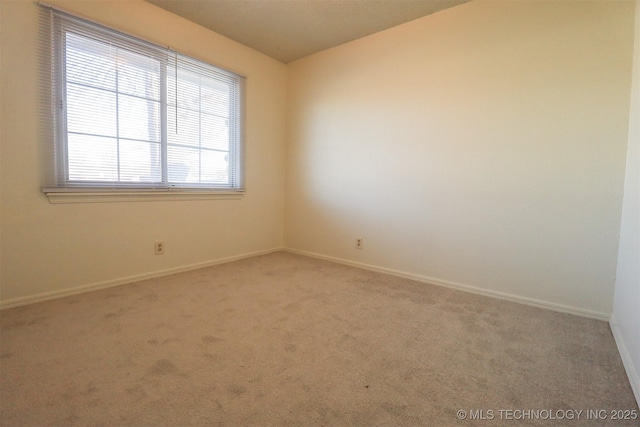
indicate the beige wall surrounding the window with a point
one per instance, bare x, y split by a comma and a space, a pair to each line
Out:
48, 248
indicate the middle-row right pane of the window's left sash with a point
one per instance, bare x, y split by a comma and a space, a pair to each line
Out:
139, 118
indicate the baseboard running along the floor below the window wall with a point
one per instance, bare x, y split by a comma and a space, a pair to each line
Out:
17, 302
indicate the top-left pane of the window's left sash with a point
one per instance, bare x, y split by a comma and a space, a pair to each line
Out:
90, 62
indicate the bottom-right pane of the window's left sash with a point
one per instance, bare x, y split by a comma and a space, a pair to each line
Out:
140, 161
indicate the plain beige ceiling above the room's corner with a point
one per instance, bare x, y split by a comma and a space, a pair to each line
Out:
291, 29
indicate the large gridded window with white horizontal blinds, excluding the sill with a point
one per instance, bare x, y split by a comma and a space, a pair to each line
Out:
132, 115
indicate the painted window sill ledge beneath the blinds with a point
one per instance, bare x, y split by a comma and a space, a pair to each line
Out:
59, 195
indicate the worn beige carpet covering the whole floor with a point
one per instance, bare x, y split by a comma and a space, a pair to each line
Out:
287, 340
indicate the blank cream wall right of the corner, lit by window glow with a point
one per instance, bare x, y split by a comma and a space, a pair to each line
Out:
481, 147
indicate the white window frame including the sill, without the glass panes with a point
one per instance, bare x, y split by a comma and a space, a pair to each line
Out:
62, 189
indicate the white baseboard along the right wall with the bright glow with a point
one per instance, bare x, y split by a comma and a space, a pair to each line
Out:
466, 288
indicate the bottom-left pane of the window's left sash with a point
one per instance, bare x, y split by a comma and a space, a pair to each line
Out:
92, 158
